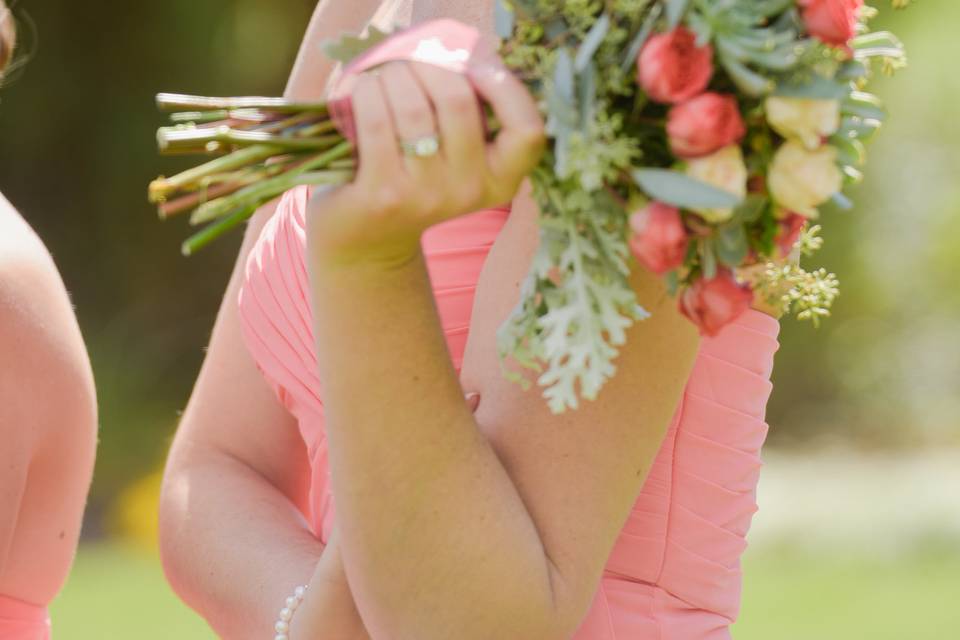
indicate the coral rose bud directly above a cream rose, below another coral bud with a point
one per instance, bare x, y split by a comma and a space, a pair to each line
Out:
704, 124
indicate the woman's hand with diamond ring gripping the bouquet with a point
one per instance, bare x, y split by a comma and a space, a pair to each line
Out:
379, 217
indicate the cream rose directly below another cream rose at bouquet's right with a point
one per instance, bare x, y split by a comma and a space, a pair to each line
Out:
801, 180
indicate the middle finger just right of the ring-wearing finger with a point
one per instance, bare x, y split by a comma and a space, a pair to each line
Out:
458, 114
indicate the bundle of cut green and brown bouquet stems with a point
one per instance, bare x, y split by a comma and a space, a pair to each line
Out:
259, 148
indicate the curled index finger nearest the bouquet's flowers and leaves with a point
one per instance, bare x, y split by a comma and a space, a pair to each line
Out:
520, 142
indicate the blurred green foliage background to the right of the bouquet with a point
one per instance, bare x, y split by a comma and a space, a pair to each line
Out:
885, 370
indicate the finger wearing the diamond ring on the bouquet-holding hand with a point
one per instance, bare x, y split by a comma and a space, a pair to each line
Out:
413, 115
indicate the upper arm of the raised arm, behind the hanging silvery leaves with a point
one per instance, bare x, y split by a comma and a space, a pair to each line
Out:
579, 472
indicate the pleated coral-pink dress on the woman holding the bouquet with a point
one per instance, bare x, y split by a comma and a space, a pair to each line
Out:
674, 572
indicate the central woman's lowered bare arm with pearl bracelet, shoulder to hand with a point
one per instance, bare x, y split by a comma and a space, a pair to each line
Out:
233, 541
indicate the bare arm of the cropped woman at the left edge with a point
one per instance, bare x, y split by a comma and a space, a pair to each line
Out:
48, 408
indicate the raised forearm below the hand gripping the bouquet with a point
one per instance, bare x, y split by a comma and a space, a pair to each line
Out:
436, 540
